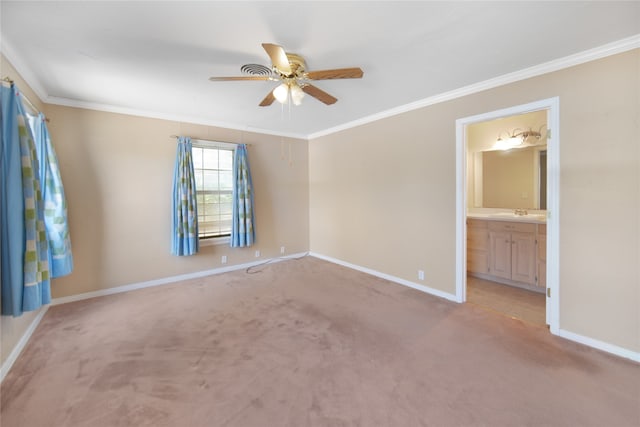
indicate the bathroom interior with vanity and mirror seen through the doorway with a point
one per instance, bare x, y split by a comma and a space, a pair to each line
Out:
506, 215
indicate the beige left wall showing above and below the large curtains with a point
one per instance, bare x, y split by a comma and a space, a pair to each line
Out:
13, 328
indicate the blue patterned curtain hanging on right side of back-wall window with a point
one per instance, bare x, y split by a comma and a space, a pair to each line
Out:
242, 232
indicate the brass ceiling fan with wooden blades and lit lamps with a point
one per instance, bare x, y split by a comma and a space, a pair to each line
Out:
290, 70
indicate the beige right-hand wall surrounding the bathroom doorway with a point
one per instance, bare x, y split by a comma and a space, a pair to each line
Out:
383, 195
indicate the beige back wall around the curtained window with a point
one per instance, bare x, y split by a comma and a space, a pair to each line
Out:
118, 170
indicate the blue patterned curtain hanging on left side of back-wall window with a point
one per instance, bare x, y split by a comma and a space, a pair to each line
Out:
184, 237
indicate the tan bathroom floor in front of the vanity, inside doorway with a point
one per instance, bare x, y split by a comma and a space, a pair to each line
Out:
510, 301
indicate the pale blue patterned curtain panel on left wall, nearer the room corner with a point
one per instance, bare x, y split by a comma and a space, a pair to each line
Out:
55, 213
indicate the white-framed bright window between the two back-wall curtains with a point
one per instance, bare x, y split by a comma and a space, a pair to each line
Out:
213, 168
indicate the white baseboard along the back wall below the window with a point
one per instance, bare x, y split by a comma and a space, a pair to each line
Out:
168, 280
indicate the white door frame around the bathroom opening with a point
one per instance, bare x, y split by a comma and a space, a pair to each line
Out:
552, 106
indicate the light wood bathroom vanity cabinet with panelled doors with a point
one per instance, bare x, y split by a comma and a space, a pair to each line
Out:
509, 252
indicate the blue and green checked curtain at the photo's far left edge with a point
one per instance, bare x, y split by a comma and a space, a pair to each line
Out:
25, 250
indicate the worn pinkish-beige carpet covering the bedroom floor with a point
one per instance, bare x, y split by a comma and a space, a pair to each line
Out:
306, 343
